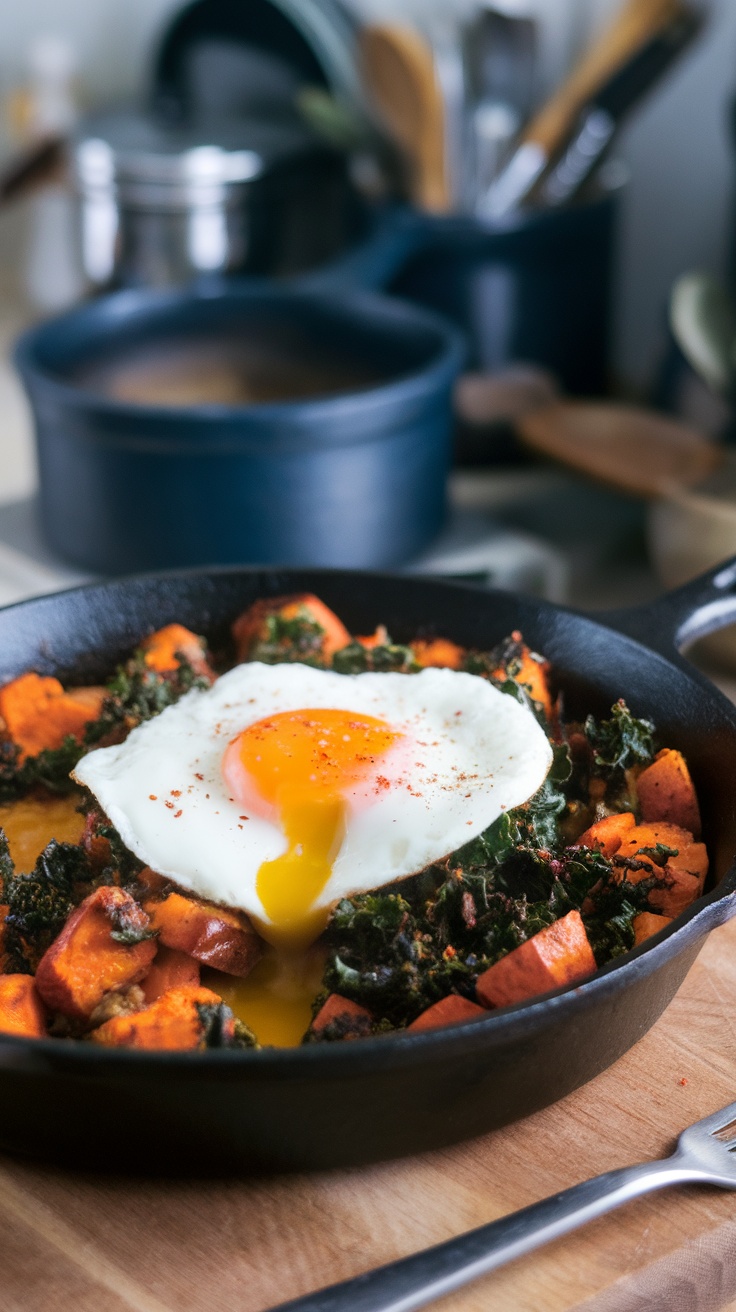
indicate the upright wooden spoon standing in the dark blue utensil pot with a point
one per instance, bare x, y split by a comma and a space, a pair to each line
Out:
401, 78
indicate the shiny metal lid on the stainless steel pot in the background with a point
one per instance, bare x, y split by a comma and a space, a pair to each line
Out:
127, 146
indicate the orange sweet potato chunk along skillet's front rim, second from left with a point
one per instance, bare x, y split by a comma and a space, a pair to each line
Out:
173, 1023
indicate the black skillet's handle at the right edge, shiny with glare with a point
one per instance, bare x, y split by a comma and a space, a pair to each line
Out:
682, 617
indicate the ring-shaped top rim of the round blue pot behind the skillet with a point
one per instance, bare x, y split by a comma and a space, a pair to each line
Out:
443, 368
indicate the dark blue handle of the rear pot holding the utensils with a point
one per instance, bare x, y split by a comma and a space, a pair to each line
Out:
398, 234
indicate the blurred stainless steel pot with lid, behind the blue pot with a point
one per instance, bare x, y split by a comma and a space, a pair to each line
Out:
161, 205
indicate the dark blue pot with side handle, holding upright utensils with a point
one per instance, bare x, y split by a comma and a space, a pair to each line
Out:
539, 289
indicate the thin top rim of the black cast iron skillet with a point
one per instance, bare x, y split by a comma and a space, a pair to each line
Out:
398, 1049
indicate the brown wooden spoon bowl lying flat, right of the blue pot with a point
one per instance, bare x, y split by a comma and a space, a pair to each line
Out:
630, 449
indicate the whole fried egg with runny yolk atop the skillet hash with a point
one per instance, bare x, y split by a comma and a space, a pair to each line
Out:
284, 789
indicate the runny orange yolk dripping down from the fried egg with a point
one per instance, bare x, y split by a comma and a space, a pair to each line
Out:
301, 768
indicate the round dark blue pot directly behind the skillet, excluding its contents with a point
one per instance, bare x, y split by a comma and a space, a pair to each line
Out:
354, 480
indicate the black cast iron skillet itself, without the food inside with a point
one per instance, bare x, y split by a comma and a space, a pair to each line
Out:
340, 1105
